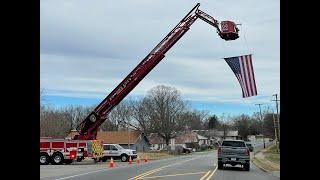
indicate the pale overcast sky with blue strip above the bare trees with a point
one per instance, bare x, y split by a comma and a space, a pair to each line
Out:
88, 47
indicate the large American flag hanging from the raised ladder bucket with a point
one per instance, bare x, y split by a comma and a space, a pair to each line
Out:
243, 69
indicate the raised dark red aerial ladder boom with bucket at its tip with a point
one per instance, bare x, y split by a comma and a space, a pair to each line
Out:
89, 126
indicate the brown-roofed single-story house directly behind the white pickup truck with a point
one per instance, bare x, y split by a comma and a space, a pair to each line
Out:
136, 140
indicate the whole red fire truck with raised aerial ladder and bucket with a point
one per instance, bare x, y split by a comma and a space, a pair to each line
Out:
84, 144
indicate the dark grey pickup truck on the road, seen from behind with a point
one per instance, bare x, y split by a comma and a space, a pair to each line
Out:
234, 152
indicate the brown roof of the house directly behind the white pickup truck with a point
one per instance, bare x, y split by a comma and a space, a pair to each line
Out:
116, 137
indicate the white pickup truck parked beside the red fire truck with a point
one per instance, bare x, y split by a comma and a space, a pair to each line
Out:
117, 152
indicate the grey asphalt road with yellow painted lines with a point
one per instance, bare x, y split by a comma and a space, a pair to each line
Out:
200, 166
